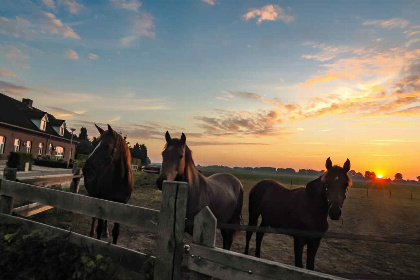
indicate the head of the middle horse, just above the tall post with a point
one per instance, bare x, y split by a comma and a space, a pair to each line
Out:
173, 164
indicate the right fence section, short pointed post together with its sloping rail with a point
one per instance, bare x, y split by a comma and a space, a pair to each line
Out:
206, 261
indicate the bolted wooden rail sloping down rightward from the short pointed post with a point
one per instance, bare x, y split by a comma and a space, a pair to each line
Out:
228, 265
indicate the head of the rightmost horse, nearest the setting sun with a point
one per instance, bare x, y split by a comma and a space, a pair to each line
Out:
333, 185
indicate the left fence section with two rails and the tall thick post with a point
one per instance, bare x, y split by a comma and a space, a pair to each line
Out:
169, 222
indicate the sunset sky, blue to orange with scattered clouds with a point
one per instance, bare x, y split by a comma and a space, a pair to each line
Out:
250, 83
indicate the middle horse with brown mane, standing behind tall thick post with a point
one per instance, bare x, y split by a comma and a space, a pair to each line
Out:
222, 193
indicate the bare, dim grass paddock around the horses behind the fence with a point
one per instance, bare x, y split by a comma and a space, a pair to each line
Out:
377, 215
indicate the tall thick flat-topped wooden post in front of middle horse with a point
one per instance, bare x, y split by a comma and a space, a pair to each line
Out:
170, 247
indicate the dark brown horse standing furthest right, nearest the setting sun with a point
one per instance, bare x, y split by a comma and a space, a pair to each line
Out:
301, 209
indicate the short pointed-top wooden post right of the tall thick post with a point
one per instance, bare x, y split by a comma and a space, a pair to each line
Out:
205, 224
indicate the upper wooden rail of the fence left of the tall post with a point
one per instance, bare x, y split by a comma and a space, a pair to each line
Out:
145, 219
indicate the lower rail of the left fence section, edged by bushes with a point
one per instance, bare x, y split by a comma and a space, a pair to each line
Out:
127, 258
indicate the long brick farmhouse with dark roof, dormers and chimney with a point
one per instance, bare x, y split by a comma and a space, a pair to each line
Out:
26, 129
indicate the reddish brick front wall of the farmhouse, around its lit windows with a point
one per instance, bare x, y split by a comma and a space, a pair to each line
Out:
12, 133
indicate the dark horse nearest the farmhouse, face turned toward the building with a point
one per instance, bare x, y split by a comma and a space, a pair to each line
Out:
108, 175
